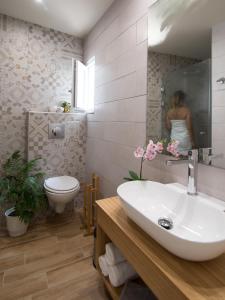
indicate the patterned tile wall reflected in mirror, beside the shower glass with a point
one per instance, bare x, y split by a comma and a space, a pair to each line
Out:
158, 66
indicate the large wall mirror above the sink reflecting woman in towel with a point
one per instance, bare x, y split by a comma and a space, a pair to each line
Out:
186, 76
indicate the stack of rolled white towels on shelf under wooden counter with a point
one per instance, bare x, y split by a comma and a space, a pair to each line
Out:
114, 265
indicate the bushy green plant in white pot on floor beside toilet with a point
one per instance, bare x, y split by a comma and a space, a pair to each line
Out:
22, 187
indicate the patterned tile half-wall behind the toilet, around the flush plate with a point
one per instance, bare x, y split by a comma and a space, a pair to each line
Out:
59, 156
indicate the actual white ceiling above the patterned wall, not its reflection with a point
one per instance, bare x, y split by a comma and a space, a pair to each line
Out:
75, 17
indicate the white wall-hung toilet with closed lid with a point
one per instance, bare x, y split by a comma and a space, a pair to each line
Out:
60, 191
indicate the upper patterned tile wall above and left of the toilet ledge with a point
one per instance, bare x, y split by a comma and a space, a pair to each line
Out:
35, 72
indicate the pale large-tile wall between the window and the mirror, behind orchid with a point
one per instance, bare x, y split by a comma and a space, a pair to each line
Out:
118, 124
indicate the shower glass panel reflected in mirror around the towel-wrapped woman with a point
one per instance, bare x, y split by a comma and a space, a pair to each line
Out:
194, 81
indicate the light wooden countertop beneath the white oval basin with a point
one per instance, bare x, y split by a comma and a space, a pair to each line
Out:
168, 276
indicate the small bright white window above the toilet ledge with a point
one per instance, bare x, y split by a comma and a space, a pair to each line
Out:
85, 86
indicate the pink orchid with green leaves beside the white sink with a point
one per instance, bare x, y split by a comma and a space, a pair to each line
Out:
149, 153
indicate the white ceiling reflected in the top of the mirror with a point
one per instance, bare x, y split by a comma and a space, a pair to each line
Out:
183, 27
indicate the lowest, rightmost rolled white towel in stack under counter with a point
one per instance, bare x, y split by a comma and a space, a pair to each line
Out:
120, 273
